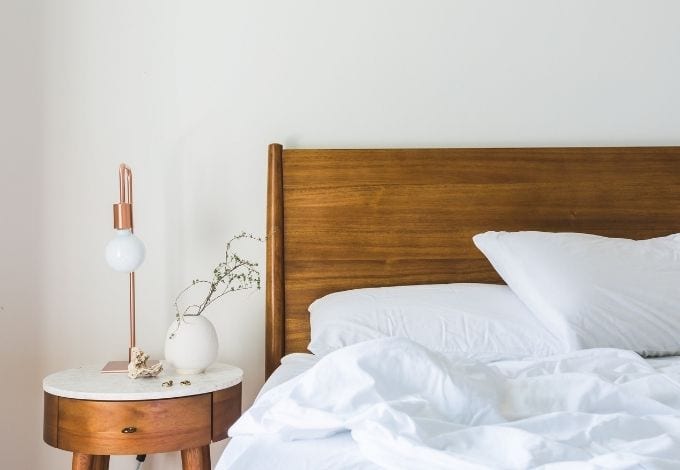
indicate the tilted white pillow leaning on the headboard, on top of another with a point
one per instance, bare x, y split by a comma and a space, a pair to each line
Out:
595, 291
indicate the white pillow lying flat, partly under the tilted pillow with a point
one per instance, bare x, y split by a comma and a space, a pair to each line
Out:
484, 321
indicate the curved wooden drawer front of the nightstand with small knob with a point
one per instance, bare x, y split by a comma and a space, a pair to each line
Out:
134, 427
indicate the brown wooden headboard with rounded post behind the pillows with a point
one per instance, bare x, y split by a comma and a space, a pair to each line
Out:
343, 219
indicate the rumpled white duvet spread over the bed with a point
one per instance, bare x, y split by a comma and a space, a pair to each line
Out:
409, 408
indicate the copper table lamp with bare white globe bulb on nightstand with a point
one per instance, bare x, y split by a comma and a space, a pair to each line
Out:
125, 253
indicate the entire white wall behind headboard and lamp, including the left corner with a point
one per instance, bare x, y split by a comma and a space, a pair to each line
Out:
190, 93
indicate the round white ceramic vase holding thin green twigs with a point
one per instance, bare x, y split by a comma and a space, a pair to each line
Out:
191, 344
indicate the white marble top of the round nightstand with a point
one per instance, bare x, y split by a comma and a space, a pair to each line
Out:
88, 383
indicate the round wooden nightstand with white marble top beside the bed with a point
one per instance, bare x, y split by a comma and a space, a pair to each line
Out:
96, 415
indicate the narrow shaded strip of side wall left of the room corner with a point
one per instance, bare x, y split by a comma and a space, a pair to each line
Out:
21, 255
